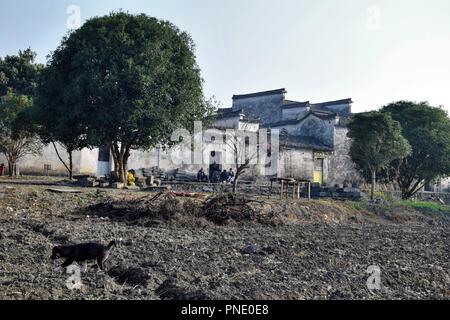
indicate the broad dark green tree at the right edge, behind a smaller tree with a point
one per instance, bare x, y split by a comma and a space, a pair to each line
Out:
427, 129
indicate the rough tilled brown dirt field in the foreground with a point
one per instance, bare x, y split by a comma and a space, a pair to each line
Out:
173, 248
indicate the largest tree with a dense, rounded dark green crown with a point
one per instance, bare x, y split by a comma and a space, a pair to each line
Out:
129, 80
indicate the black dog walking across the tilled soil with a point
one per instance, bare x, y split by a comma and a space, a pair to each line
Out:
82, 253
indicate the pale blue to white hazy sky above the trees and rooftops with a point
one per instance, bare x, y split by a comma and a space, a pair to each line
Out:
373, 51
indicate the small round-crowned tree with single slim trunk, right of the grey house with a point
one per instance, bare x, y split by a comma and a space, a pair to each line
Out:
376, 142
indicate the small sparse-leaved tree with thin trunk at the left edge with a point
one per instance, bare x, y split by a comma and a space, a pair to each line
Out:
16, 138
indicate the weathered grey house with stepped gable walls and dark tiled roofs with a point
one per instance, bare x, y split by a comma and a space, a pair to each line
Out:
313, 136
